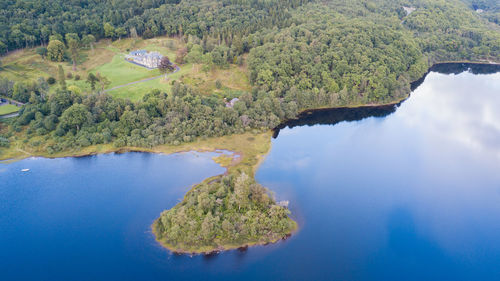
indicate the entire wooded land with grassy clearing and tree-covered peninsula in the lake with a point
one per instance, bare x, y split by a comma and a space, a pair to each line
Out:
271, 59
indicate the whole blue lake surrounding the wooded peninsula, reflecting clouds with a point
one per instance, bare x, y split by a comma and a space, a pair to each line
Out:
411, 194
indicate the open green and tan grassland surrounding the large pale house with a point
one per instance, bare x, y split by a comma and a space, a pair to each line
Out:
108, 59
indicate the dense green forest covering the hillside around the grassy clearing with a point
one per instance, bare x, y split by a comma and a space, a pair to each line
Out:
300, 55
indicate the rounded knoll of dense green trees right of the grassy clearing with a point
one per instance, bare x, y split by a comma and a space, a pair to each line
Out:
343, 58
